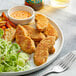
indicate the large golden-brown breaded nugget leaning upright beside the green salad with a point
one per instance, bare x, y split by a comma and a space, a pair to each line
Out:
24, 41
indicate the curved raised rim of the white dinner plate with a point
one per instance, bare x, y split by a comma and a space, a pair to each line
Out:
45, 64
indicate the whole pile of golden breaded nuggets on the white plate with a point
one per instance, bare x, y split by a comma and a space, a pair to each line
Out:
39, 40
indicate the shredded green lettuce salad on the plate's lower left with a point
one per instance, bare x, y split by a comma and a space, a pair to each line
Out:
12, 59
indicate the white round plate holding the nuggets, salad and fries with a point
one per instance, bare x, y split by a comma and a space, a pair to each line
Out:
58, 47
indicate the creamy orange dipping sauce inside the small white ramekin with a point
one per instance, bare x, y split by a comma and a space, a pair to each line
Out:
20, 14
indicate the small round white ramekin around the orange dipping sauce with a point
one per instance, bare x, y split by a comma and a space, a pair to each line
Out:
21, 21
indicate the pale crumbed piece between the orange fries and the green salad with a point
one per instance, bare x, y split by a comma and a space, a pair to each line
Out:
9, 34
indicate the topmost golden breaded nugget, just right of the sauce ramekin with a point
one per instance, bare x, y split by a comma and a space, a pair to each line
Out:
41, 22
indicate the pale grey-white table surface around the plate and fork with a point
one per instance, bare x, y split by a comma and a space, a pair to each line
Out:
66, 19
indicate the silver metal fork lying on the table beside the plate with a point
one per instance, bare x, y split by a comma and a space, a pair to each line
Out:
63, 64
